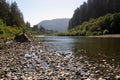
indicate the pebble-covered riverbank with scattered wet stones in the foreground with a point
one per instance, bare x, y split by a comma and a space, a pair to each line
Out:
33, 61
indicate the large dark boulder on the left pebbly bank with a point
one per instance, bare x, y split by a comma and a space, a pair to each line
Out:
21, 38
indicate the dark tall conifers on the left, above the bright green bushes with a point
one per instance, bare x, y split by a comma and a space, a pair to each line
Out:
11, 14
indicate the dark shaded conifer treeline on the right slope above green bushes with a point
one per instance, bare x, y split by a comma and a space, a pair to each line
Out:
93, 9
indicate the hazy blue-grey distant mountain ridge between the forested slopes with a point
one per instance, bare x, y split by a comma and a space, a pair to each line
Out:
60, 25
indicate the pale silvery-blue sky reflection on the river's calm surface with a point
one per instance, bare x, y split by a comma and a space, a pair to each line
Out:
60, 44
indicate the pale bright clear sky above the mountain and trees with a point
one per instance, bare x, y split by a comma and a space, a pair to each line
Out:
35, 11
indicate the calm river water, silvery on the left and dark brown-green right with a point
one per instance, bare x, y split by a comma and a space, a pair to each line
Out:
93, 47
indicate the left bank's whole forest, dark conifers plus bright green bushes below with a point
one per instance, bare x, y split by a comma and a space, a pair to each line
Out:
11, 20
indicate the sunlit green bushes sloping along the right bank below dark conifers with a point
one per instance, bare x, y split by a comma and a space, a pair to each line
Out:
108, 24
